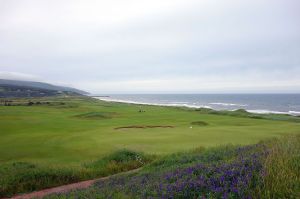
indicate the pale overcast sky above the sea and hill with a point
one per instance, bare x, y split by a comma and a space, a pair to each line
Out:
139, 46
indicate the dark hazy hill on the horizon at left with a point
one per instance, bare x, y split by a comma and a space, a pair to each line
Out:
14, 88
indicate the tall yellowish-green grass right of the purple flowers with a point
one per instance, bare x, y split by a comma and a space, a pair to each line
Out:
282, 169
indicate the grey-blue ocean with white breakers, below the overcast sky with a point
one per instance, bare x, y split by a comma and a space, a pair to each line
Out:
255, 103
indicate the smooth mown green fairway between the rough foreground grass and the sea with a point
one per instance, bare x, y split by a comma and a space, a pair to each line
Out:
73, 131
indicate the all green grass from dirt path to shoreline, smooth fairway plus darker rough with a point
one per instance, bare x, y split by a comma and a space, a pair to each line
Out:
69, 139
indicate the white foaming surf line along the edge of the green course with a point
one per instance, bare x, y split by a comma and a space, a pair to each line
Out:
184, 105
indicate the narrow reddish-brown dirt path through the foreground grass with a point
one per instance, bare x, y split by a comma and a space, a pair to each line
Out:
66, 188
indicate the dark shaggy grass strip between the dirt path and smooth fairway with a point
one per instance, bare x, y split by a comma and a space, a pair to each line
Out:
21, 177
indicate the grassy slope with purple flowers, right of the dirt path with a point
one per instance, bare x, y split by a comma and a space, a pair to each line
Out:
269, 169
